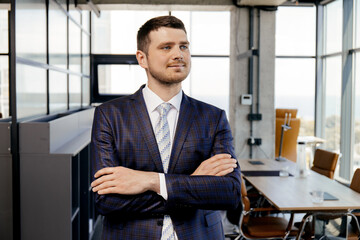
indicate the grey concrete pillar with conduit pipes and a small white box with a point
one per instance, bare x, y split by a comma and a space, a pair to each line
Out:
239, 82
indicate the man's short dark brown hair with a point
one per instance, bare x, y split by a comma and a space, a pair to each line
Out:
154, 24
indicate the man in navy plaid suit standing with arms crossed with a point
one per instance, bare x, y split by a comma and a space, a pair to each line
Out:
163, 162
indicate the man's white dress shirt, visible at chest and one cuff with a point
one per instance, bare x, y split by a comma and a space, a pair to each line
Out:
152, 101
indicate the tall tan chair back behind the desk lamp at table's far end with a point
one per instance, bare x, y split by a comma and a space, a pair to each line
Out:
289, 143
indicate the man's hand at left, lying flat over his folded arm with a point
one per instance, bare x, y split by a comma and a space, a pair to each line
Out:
125, 181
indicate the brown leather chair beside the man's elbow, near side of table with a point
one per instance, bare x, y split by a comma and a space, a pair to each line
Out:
262, 227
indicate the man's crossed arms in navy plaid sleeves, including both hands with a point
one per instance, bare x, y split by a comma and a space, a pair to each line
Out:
215, 183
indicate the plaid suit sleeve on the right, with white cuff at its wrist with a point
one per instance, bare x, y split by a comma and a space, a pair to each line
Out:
208, 192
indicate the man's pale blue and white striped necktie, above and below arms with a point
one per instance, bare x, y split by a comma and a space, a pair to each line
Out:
162, 134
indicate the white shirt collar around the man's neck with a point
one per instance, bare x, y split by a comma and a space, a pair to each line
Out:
153, 101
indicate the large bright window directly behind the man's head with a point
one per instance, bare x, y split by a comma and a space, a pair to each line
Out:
206, 48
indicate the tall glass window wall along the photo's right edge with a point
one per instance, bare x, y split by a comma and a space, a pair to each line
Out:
338, 102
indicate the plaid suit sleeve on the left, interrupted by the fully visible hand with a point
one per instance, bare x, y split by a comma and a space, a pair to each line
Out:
103, 155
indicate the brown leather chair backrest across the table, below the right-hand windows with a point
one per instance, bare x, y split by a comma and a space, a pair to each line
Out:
325, 162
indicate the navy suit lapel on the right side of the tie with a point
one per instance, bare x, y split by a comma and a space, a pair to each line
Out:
186, 116
